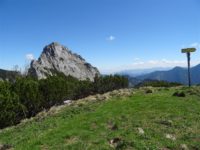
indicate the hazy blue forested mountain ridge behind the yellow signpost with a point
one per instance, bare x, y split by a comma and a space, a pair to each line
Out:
176, 74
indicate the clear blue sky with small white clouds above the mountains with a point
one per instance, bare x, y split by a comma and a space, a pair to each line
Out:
112, 35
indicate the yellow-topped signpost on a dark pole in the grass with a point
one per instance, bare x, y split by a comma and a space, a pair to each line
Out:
188, 51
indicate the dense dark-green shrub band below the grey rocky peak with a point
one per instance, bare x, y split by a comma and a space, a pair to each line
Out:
27, 96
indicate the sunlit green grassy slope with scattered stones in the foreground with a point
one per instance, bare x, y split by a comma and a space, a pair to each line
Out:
89, 126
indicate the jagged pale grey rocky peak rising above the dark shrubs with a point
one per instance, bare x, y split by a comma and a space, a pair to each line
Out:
57, 58
